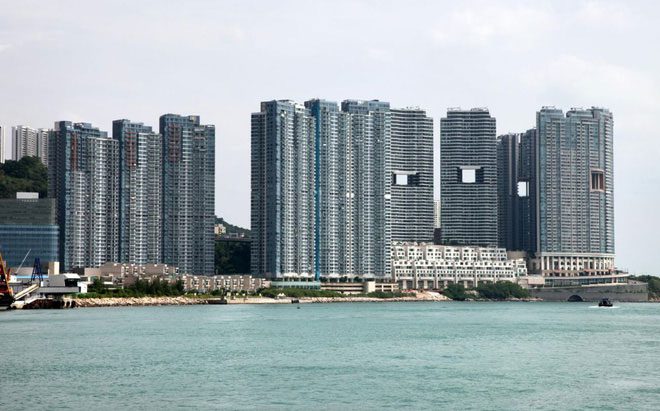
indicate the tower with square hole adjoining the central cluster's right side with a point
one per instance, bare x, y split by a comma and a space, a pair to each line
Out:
411, 155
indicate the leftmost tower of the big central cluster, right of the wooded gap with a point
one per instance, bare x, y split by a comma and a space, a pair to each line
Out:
283, 187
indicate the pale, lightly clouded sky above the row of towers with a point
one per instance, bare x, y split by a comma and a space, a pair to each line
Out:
96, 61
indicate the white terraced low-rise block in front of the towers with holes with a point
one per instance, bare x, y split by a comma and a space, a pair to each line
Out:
426, 266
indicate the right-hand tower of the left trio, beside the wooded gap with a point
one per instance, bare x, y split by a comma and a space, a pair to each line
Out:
188, 193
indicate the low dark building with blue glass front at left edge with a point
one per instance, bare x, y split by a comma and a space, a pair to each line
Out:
28, 229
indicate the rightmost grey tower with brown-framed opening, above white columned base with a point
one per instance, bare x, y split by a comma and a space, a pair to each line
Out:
575, 217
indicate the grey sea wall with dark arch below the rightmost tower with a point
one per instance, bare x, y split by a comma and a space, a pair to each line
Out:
624, 293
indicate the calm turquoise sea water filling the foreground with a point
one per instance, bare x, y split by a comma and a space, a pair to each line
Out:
334, 356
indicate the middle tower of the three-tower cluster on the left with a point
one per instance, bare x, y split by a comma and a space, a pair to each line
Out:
140, 192
